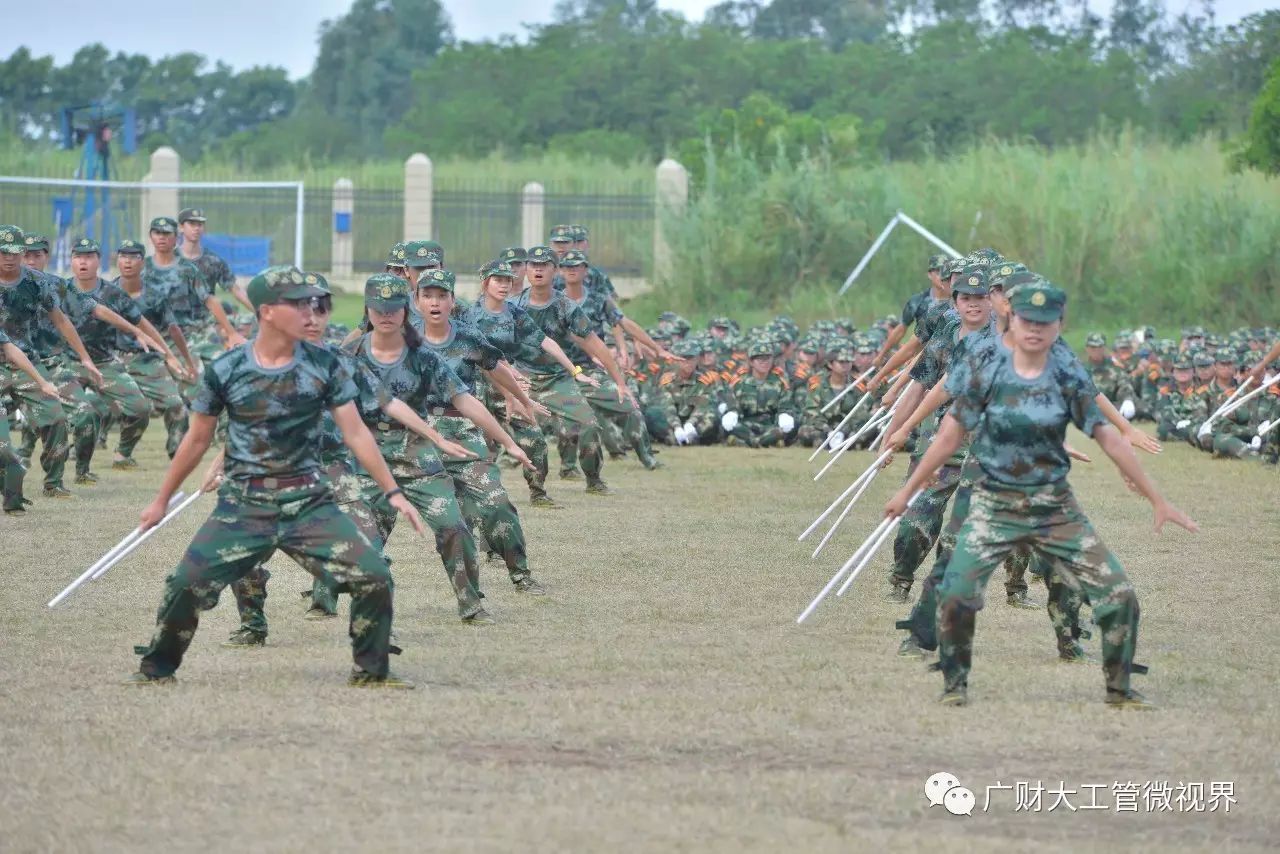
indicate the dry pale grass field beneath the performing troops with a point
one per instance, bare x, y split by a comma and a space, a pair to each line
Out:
661, 698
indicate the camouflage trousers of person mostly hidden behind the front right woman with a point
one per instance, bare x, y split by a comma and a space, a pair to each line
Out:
1064, 604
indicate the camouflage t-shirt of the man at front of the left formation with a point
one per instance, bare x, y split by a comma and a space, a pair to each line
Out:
275, 414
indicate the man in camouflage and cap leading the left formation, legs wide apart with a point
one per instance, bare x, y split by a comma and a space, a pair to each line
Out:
276, 497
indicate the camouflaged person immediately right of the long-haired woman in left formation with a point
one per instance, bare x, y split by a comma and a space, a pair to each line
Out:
477, 483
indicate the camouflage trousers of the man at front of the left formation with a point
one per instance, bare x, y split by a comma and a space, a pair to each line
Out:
245, 529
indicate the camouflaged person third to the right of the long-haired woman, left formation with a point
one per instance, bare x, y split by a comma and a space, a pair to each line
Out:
551, 385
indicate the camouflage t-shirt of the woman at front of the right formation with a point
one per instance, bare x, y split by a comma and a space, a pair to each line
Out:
1020, 424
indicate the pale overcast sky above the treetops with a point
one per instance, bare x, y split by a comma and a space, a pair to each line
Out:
253, 33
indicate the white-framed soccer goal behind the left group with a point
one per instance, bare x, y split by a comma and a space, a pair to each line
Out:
252, 225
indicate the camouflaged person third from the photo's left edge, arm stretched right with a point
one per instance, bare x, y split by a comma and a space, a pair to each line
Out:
118, 389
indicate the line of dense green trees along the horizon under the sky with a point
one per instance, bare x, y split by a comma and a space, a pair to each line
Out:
623, 80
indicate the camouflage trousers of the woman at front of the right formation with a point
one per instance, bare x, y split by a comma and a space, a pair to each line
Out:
1050, 523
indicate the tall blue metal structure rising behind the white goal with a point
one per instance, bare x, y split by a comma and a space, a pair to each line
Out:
94, 127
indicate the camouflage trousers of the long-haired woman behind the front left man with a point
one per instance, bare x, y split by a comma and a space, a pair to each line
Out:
435, 500
